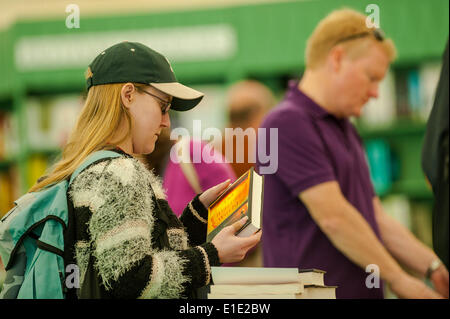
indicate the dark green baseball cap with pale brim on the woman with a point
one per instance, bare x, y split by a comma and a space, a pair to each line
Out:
135, 62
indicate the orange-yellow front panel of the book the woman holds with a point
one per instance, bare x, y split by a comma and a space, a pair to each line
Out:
228, 204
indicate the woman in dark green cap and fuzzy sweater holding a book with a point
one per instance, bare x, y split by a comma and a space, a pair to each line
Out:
127, 242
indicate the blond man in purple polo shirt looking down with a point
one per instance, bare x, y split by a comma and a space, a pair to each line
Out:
320, 208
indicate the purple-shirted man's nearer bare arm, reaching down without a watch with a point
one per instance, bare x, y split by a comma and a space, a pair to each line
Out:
352, 235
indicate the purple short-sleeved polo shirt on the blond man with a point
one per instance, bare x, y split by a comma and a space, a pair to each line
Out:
306, 158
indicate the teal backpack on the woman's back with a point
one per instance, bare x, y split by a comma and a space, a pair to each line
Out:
32, 240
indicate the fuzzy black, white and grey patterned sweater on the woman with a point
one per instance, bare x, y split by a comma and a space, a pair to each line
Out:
139, 248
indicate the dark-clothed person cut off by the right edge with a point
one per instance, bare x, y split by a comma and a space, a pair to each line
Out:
435, 165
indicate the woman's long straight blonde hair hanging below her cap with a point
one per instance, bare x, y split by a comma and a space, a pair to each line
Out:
100, 118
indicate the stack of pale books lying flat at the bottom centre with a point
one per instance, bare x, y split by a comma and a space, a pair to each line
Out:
269, 283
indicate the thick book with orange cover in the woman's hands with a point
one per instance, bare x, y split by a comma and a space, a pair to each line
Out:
242, 198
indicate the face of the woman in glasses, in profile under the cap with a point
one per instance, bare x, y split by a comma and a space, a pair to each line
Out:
149, 116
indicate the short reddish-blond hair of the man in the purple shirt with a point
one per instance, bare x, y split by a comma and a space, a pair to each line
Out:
342, 25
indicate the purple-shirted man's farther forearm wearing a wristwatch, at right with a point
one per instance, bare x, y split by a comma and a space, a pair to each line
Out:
406, 248
